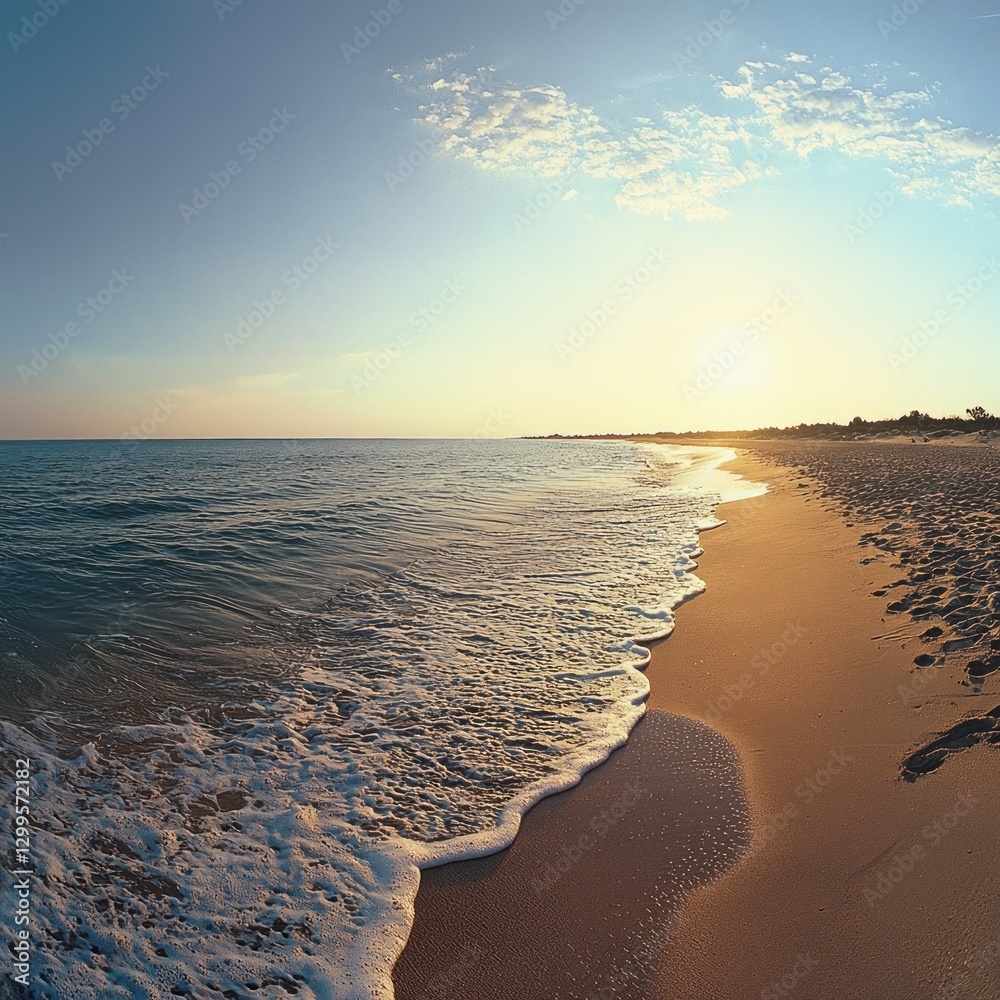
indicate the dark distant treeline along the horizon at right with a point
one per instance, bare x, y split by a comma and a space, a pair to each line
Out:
912, 423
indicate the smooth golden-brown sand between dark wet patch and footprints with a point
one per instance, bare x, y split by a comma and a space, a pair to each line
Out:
858, 884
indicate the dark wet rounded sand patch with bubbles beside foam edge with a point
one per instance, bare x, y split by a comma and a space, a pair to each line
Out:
587, 897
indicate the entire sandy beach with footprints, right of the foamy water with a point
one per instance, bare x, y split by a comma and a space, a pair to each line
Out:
792, 849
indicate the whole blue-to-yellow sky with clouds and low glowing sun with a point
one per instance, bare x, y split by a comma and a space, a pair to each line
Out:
245, 218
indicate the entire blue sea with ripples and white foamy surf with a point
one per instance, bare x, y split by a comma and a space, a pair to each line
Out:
261, 683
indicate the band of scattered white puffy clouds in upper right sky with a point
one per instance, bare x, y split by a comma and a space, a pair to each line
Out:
685, 163
